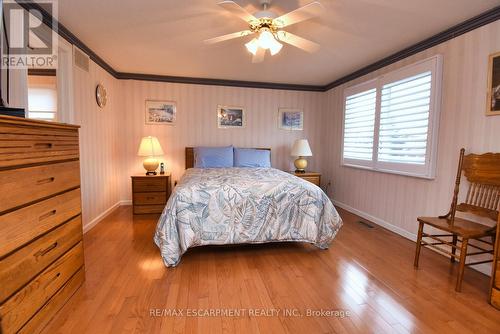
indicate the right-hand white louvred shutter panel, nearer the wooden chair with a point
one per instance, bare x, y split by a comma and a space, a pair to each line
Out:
404, 120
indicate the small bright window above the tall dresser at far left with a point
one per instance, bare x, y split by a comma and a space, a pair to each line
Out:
42, 97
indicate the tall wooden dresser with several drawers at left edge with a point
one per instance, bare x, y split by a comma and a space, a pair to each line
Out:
41, 251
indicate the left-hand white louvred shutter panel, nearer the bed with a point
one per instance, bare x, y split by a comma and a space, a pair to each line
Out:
359, 122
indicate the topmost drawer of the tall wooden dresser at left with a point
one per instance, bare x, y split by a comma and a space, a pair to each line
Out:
26, 145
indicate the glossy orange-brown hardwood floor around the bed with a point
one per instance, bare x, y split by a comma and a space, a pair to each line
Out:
367, 272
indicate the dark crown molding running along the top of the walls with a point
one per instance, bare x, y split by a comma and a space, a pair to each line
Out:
478, 21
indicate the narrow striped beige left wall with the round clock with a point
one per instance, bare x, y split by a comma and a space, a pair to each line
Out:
100, 142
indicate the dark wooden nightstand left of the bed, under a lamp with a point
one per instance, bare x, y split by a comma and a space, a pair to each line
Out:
150, 193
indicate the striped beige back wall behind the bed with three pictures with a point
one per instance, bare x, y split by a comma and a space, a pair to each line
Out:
196, 123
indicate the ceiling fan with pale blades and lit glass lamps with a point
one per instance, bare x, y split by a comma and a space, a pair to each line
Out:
269, 28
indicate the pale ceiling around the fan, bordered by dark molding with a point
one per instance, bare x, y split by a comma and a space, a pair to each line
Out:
165, 37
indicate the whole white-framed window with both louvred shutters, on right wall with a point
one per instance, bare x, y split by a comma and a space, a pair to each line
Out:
391, 122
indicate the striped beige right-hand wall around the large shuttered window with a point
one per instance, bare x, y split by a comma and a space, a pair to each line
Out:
395, 201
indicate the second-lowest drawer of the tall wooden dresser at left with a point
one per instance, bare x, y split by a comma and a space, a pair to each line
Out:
18, 268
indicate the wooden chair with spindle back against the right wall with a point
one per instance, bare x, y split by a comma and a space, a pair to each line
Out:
482, 199
